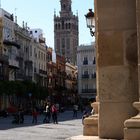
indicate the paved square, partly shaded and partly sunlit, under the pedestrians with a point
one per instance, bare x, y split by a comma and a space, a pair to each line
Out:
66, 127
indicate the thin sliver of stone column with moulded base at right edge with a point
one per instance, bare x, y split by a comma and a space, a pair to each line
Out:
132, 126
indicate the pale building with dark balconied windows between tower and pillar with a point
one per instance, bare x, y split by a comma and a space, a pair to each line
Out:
86, 56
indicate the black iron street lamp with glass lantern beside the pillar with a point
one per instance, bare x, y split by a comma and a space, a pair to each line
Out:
90, 20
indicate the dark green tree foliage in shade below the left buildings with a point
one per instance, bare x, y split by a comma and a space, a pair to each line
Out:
22, 89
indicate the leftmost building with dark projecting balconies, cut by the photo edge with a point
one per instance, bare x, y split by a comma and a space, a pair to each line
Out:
8, 47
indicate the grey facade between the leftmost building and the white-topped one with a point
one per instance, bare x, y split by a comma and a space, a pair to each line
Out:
23, 38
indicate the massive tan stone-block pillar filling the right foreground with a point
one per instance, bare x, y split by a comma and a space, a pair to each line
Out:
117, 70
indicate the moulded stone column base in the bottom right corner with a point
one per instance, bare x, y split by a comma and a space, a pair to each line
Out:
132, 126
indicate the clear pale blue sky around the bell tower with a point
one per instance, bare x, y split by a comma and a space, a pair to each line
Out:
40, 14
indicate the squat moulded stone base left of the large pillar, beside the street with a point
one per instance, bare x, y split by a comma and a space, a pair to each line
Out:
91, 126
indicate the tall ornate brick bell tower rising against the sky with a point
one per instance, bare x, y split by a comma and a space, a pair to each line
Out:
66, 34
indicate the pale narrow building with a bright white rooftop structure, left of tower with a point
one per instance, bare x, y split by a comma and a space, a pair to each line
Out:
39, 57
